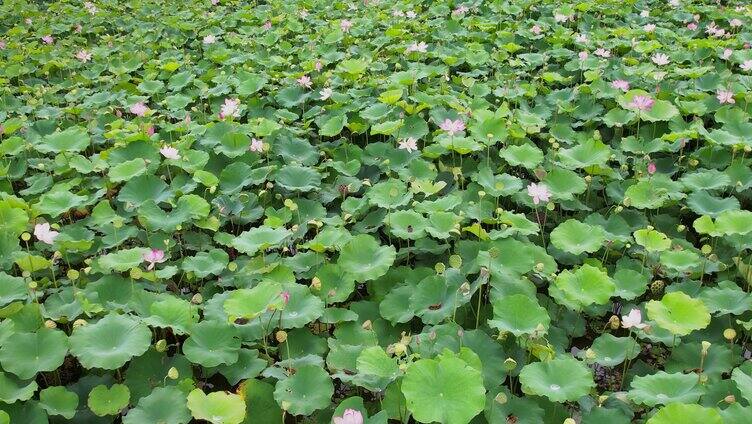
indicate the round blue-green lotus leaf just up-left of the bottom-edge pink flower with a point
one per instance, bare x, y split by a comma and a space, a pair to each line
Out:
306, 391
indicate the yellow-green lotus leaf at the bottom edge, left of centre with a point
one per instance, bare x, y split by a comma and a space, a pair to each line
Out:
216, 407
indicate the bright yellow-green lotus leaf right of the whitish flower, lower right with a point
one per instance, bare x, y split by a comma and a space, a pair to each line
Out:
678, 313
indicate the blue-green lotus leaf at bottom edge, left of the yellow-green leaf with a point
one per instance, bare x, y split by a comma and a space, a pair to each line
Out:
152, 408
